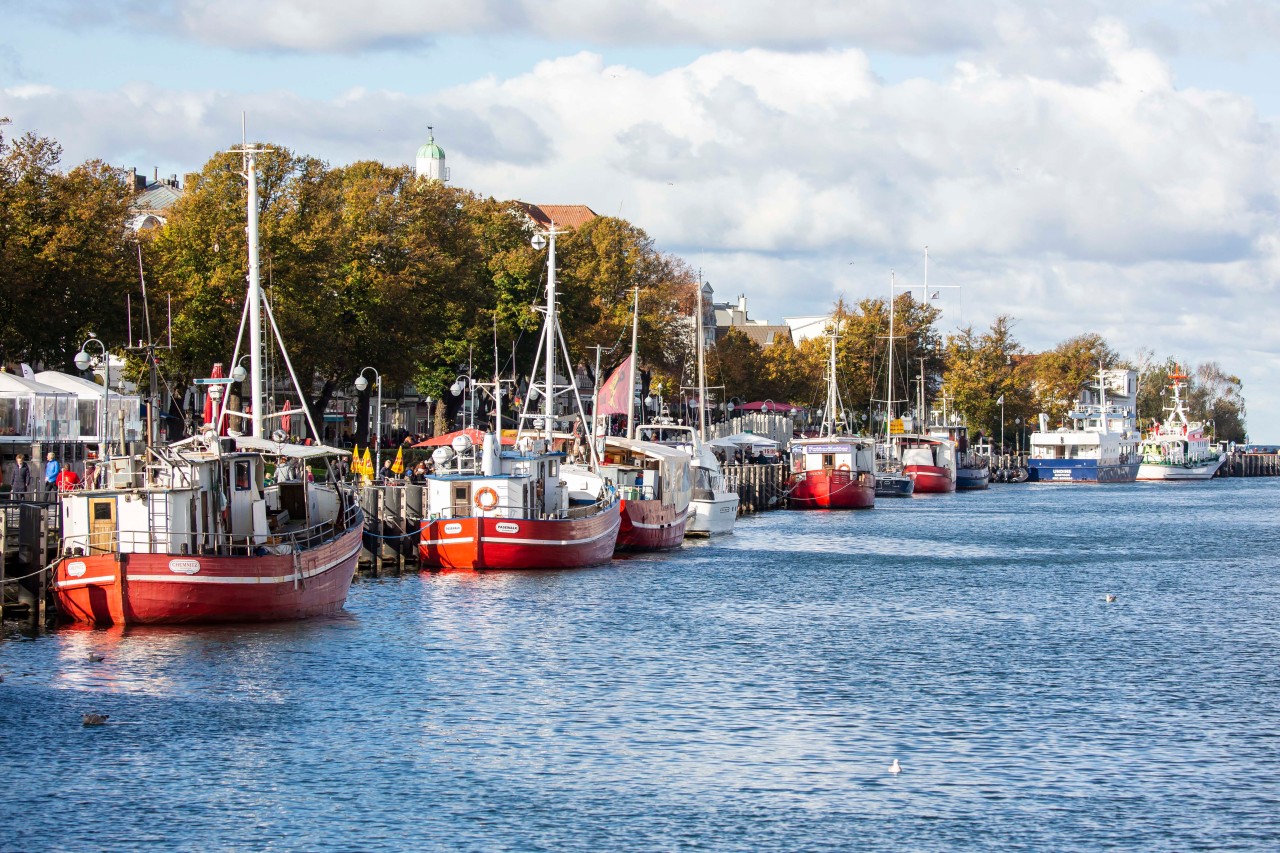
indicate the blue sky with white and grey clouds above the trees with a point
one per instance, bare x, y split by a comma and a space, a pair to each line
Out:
1084, 167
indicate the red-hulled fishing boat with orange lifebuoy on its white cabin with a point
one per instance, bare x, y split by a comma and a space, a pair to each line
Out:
488, 508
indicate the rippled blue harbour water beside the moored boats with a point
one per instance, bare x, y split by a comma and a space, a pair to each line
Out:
744, 695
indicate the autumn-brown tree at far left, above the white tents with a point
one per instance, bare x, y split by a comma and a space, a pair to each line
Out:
66, 253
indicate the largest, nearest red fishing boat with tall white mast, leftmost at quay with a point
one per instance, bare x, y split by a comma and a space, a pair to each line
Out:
196, 532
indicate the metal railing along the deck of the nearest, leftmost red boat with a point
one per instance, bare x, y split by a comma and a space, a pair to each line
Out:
196, 545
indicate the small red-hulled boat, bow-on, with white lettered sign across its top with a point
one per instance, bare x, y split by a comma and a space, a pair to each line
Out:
836, 471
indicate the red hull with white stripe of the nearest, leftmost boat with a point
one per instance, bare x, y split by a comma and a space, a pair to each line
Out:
167, 590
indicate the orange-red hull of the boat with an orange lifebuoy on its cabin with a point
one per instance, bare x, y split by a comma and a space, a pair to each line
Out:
520, 544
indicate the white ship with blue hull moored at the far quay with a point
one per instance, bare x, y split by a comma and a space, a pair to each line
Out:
1103, 443
